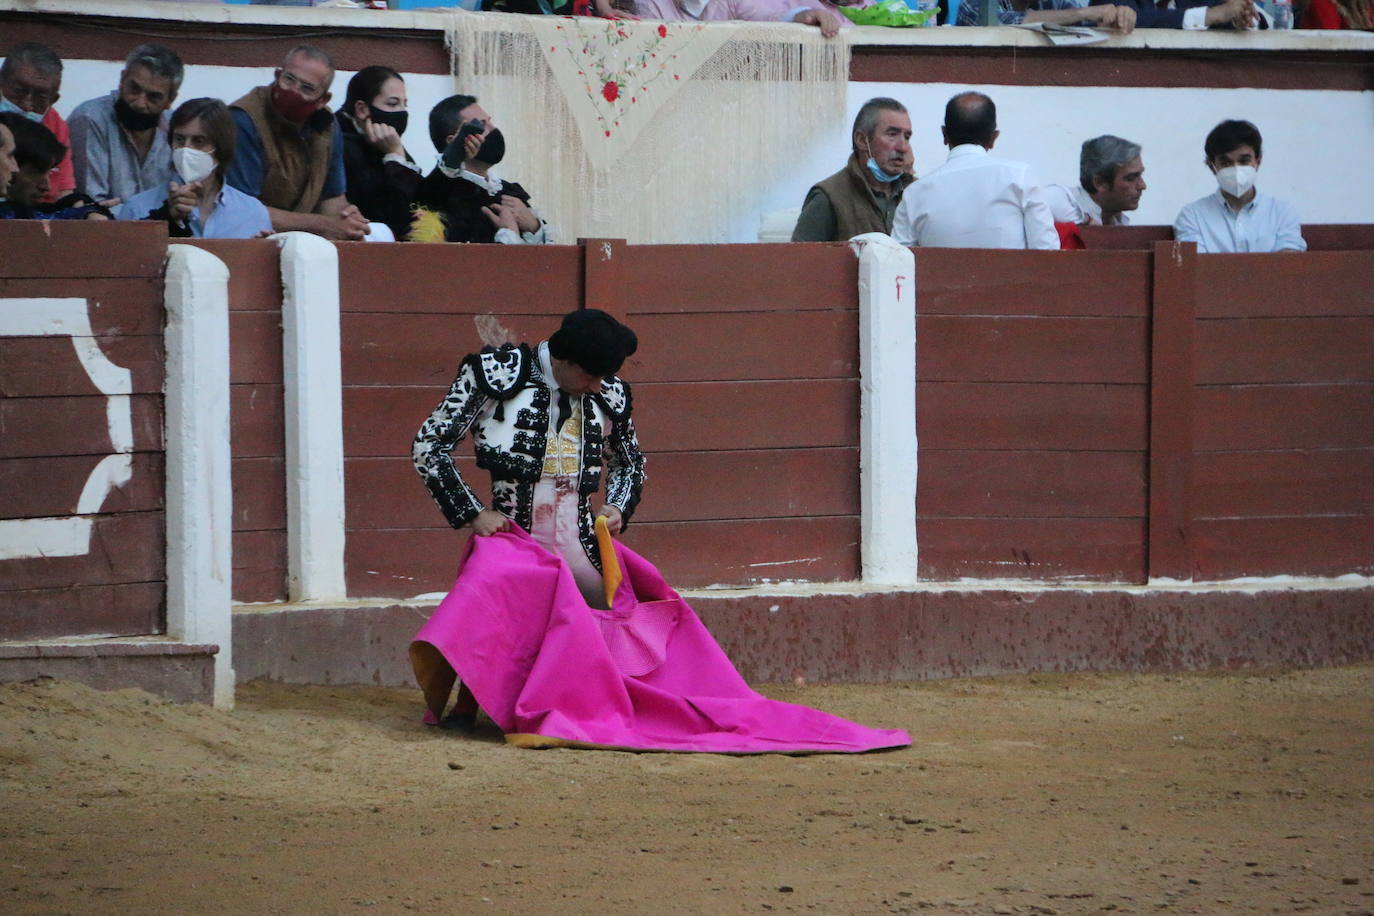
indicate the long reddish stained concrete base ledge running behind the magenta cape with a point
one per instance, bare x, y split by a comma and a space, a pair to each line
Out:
894, 635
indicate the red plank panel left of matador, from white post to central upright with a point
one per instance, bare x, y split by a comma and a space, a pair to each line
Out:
409, 317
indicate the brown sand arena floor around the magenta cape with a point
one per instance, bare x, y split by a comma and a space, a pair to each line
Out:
1068, 794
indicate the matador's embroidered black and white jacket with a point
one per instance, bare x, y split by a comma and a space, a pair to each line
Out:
504, 398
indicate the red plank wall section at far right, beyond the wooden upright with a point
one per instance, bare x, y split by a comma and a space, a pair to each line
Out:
1284, 479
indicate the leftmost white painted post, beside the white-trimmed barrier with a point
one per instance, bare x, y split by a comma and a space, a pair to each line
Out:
199, 484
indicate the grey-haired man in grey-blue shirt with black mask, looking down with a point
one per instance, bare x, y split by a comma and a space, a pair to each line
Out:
120, 141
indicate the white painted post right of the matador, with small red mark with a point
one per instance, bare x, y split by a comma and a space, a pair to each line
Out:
888, 404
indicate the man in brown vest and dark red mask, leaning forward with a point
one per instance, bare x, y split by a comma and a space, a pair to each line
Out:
289, 153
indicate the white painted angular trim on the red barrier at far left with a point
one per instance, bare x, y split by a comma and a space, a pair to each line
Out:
71, 536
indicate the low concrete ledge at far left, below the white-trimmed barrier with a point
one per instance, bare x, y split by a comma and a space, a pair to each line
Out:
181, 672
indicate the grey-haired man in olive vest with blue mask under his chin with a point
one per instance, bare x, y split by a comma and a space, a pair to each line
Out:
864, 196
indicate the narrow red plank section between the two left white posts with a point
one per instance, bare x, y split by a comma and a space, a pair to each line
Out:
256, 406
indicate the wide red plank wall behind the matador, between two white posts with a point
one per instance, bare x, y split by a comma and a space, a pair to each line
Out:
745, 399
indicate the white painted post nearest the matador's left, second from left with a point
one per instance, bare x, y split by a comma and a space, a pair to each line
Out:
314, 400
